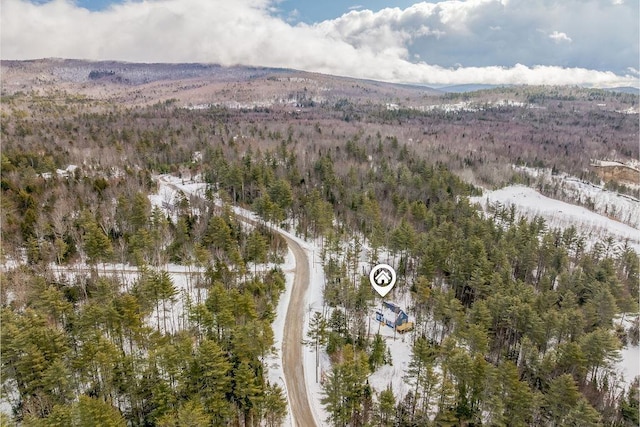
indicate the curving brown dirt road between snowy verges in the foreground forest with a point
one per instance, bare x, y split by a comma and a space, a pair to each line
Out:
292, 363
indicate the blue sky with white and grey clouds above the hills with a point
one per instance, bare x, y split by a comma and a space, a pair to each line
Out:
591, 42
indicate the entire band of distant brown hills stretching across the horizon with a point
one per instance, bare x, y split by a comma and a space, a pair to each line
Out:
246, 87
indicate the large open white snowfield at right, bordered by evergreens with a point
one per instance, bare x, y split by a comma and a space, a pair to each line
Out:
530, 203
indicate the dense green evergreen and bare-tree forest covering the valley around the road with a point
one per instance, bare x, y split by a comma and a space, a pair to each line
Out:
514, 319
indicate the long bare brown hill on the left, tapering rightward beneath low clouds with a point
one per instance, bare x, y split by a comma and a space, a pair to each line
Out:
199, 84
